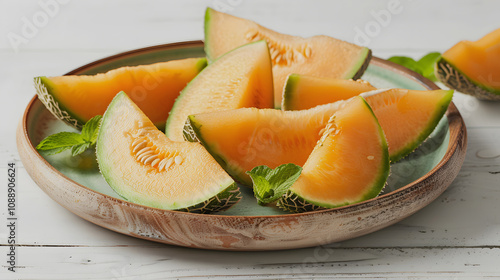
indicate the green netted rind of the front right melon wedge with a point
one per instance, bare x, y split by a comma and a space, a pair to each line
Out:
294, 202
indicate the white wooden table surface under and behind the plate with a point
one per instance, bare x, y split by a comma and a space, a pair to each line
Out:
455, 237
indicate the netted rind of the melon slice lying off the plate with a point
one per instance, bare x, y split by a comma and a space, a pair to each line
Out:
452, 77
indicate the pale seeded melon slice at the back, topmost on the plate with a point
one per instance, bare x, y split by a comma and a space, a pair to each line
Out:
319, 55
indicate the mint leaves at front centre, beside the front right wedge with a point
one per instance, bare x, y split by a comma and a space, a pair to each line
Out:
270, 184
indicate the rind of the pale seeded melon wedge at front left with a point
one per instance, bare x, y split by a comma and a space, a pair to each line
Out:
226, 198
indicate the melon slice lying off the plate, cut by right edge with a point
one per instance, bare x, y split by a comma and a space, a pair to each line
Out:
473, 67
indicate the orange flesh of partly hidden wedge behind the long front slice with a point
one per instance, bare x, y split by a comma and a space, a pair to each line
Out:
304, 92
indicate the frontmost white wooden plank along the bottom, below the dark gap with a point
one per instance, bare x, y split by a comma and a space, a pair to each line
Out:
166, 262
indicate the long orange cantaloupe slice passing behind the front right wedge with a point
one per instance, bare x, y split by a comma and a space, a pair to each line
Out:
245, 138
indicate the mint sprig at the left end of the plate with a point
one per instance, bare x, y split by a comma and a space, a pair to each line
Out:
78, 143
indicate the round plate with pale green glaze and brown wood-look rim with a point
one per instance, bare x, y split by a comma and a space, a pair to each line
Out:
446, 142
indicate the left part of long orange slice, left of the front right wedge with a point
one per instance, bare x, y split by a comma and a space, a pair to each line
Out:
245, 138
